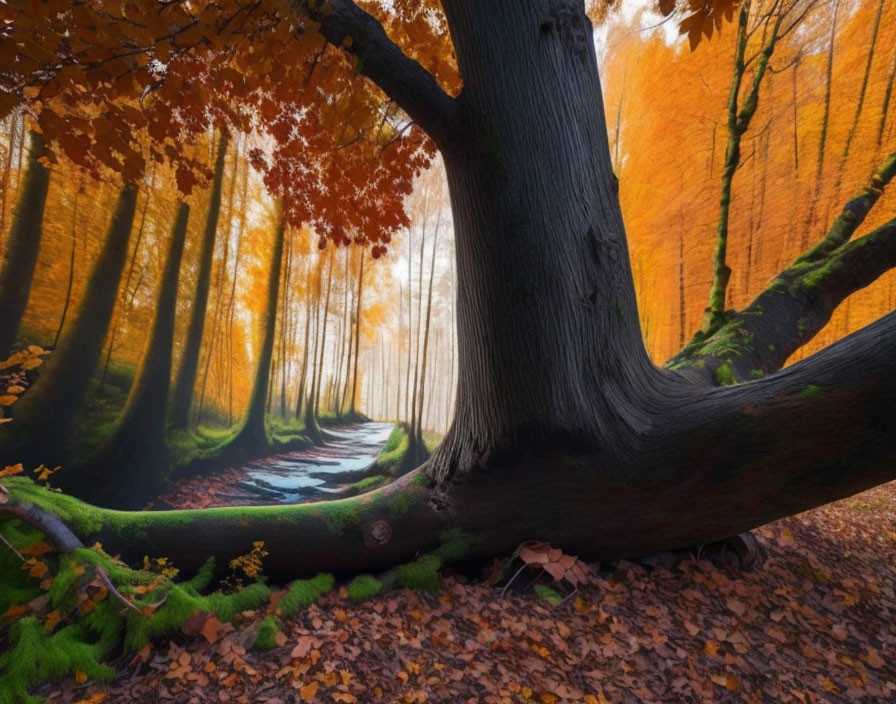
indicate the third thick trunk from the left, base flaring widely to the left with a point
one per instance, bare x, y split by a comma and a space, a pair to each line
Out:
135, 450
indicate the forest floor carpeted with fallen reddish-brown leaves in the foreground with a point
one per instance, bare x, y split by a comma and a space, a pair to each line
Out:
814, 624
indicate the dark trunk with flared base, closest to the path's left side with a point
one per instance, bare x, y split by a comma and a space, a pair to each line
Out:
253, 436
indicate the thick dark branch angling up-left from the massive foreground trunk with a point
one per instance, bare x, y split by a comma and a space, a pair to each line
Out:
345, 25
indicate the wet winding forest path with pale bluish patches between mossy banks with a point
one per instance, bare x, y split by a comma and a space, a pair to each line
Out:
289, 477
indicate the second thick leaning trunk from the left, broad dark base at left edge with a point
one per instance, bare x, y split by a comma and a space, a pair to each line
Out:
45, 414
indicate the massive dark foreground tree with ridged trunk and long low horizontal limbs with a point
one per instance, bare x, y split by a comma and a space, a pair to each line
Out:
564, 430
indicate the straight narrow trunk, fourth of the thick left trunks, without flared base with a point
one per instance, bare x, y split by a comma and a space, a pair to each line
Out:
182, 396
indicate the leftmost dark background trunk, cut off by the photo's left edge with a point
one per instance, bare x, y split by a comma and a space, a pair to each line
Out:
22, 246
